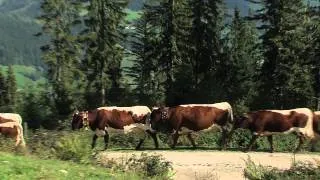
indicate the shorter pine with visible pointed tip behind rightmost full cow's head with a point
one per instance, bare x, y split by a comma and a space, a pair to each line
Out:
244, 55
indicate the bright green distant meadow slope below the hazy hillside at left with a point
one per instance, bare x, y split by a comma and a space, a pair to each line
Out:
25, 75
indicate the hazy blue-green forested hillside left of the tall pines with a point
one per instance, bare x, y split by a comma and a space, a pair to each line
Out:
17, 43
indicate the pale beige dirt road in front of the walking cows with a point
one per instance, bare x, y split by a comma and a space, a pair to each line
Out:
198, 165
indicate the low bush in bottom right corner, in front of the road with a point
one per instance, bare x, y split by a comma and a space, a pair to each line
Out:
299, 170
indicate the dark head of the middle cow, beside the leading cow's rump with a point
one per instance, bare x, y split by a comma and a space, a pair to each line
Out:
159, 119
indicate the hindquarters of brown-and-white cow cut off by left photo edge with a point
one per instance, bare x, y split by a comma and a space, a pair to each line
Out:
12, 128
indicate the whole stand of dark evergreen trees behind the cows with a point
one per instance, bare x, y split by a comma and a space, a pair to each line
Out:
181, 52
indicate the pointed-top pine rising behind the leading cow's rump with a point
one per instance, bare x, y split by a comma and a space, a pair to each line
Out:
144, 41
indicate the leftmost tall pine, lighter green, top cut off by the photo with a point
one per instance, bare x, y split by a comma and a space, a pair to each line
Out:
62, 54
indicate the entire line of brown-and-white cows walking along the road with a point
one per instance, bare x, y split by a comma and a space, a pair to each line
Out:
184, 120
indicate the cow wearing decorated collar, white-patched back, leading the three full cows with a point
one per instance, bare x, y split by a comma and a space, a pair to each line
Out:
104, 119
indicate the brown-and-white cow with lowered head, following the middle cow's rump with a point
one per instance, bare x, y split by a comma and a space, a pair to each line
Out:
269, 122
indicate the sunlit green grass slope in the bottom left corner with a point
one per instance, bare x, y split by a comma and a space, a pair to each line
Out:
22, 167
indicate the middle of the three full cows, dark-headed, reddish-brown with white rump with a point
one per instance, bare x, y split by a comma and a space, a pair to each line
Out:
189, 118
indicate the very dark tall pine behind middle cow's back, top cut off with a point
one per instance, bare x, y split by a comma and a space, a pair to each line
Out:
206, 53
